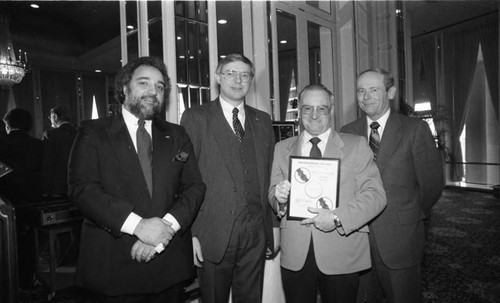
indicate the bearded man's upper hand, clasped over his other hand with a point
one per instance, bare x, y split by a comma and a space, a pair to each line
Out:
154, 231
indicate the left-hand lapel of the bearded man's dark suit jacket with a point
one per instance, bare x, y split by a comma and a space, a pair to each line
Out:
127, 156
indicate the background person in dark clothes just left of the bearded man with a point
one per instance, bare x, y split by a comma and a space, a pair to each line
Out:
57, 143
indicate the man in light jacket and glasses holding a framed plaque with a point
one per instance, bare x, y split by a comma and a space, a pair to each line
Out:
330, 247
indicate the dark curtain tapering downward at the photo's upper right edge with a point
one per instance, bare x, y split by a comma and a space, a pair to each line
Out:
489, 46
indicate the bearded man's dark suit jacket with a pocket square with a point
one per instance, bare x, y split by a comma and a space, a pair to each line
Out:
107, 183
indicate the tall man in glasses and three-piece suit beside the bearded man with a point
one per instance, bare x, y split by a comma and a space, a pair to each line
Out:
234, 145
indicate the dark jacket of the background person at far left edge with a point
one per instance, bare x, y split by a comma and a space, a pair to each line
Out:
23, 153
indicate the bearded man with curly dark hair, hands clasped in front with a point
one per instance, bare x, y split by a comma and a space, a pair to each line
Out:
136, 180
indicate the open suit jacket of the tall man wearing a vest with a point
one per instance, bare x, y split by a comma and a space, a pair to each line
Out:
214, 223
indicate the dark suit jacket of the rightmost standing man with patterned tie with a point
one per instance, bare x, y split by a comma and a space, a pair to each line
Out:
412, 173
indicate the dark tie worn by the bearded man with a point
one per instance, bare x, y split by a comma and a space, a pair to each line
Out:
145, 153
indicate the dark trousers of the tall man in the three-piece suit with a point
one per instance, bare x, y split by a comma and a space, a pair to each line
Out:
242, 267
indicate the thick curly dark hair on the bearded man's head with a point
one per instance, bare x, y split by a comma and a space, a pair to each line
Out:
124, 76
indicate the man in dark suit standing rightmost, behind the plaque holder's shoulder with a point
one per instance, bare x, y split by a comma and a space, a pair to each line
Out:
412, 172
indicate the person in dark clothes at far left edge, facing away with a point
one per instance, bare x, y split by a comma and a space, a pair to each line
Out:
22, 186
